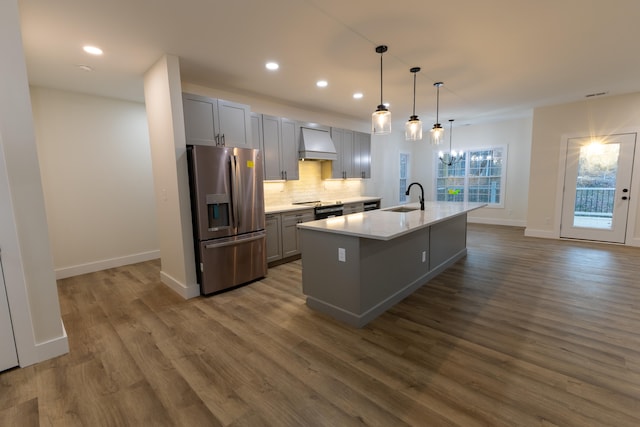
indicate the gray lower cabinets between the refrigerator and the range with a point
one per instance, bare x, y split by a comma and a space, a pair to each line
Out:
282, 233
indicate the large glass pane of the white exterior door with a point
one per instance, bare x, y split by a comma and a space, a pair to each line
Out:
596, 185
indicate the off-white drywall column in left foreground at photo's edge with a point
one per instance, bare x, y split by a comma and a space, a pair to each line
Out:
26, 254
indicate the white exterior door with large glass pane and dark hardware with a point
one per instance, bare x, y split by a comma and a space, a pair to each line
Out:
597, 186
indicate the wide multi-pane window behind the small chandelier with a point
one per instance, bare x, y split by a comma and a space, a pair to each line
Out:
478, 177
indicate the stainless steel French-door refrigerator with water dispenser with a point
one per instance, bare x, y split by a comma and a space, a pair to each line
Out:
227, 205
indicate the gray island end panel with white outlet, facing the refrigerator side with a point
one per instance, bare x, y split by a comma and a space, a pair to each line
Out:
325, 278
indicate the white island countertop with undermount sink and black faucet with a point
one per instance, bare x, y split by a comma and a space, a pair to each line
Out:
383, 224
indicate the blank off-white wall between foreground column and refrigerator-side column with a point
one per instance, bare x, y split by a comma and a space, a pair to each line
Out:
95, 163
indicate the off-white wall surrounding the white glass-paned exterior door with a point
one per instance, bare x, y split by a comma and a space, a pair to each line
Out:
593, 117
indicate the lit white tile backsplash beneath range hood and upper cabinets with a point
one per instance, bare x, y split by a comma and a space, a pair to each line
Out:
310, 186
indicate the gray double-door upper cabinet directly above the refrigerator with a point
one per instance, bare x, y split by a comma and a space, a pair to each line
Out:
211, 121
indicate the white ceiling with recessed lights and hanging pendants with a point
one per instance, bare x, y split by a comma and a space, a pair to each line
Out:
497, 58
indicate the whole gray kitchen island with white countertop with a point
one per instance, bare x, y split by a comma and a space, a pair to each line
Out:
355, 267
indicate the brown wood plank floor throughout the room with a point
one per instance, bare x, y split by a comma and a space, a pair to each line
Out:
522, 332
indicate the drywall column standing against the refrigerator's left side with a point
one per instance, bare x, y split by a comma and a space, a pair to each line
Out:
163, 99
